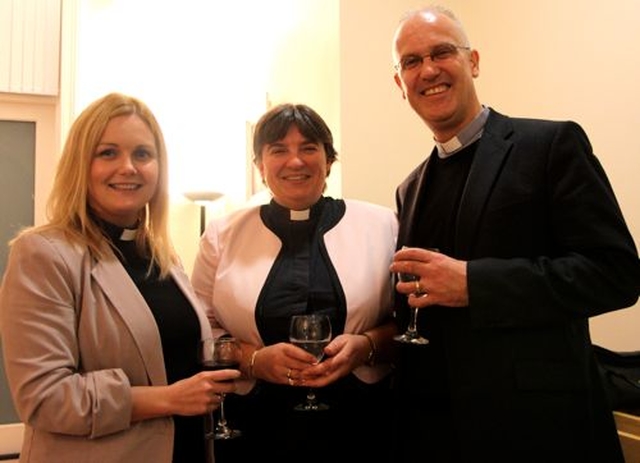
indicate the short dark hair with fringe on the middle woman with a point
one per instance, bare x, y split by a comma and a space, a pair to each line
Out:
275, 123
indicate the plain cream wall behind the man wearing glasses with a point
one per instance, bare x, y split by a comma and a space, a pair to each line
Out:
539, 58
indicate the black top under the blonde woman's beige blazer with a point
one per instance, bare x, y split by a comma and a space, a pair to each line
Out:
179, 329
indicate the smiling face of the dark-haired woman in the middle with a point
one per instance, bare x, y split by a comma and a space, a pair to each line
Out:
294, 169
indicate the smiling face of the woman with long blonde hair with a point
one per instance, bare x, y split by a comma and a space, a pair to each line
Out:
124, 171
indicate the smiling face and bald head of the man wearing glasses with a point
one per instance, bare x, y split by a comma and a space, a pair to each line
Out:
442, 93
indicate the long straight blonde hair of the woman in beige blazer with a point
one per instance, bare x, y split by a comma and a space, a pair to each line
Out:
67, 205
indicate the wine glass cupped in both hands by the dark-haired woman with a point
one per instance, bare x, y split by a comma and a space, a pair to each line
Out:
312, 333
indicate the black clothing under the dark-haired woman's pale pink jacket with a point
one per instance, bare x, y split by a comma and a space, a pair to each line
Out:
303, 279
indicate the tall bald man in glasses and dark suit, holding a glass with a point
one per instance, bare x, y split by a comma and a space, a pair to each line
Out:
531, 243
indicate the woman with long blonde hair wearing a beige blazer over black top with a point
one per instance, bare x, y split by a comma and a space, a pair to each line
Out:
100, 326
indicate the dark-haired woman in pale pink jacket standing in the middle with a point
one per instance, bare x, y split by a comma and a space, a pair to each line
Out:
303, 252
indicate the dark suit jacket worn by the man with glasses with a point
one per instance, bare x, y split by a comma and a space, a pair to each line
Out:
548, 248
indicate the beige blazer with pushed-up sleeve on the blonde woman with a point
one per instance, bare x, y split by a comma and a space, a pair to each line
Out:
77, 334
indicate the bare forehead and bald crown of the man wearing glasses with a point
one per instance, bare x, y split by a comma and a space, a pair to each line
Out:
424, 30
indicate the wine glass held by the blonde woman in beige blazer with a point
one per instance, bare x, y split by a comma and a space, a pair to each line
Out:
219, 354
